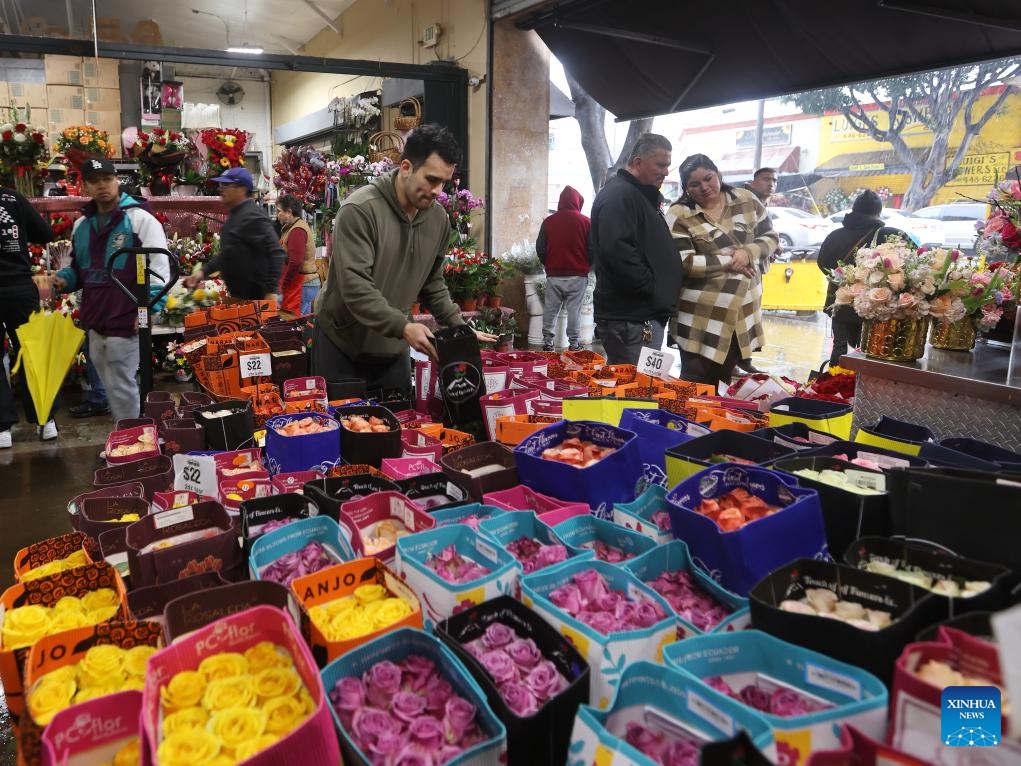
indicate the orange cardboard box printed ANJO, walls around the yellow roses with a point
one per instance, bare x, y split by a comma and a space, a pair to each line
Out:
338, 583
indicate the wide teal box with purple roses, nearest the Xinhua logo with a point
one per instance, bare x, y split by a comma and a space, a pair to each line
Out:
803, 695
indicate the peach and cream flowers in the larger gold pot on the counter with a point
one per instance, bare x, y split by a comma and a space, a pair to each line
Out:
891, 281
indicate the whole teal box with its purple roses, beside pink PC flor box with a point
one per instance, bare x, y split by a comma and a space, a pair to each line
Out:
431, 695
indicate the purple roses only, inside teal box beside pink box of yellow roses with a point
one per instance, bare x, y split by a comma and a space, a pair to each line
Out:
406, 713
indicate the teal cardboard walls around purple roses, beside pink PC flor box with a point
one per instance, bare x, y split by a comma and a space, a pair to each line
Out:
397, 647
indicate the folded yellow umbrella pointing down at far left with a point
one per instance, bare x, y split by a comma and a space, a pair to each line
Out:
50, 344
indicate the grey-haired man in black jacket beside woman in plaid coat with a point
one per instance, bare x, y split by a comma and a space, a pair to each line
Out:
639, 271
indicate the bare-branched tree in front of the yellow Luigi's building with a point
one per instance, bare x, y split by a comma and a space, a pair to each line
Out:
939, 101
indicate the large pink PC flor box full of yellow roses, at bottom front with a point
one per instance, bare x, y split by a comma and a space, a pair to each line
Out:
293, 709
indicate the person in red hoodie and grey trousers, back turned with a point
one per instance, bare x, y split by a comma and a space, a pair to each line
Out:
563, 249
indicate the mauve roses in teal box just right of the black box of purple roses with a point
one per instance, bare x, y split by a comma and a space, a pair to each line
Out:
589, 599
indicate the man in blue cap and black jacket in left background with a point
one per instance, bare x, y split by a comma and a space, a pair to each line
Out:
252, 259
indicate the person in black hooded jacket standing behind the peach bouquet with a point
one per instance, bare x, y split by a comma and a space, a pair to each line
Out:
862, 228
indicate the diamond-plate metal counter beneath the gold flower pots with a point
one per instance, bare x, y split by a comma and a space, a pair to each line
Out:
955, 394
